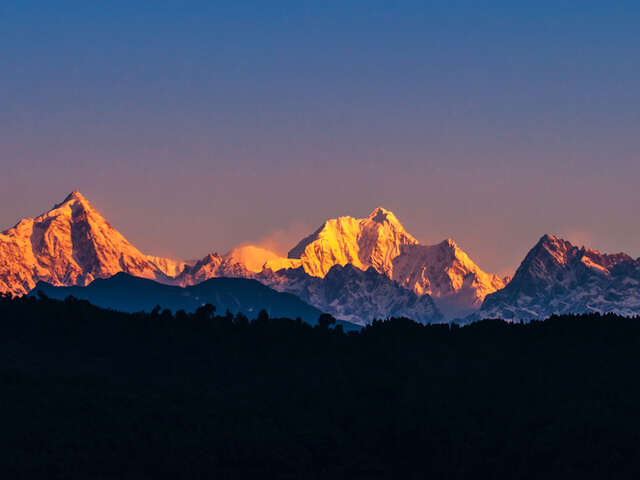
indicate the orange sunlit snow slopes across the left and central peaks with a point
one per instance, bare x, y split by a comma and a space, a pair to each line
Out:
73, 244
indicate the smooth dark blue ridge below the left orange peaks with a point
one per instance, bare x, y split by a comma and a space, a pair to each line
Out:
126, 293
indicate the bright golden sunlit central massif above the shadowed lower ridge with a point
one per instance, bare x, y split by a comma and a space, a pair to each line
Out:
380, 241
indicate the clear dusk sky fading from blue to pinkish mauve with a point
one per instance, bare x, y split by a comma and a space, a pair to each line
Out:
195, 128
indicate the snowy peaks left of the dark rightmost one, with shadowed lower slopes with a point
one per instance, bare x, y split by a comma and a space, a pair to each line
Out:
72, 244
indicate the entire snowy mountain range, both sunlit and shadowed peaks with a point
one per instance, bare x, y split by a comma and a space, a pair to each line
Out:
356, 269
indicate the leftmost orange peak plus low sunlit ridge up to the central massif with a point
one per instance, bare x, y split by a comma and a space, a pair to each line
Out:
73, 244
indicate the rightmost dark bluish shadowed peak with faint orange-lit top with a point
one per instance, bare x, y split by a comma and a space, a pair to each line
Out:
557, 277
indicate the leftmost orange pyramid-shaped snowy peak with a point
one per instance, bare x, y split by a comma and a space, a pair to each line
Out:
72, 244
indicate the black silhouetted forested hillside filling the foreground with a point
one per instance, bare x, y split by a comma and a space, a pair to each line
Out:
88, 393
